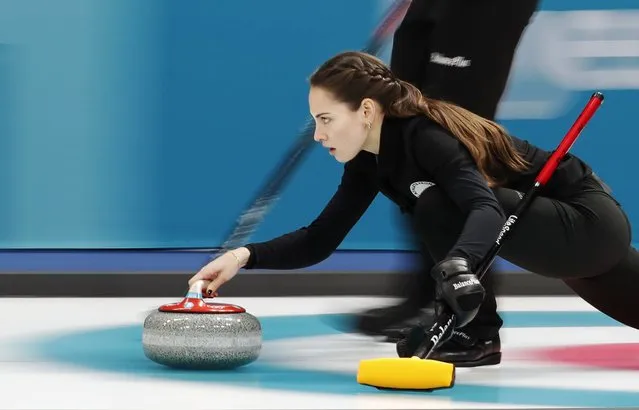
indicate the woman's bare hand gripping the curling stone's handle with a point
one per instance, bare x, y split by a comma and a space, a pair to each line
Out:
220, 270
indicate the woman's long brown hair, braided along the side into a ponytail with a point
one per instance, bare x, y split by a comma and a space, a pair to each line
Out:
352, 76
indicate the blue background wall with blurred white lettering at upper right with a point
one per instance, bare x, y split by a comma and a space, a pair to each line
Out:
132, 123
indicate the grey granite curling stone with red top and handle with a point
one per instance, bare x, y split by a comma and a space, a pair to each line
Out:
195, 334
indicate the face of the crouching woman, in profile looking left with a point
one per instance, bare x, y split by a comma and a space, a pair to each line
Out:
338, 128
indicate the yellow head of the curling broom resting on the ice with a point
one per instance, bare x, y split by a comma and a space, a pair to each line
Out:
406, 373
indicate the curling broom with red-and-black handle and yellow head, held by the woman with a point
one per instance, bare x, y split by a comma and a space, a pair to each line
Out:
418, 372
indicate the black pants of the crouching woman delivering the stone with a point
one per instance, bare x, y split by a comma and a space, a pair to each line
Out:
583, 240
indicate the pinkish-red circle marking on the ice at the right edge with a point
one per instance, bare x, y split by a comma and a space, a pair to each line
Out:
621, 356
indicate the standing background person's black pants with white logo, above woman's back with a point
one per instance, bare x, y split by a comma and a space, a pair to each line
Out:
461, 50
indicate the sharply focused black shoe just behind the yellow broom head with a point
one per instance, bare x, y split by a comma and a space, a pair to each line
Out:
463, 350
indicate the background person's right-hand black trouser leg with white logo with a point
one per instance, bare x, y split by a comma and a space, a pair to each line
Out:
473, 46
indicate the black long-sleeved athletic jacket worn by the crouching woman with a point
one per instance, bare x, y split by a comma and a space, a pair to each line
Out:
413, 151
